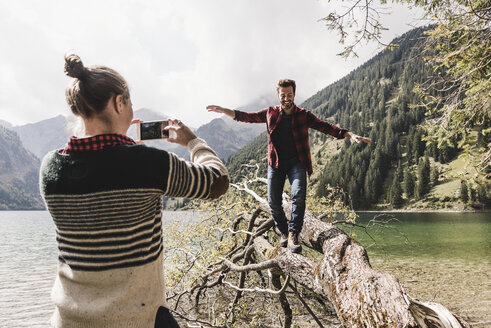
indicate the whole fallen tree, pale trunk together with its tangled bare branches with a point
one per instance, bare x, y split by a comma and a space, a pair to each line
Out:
340, 279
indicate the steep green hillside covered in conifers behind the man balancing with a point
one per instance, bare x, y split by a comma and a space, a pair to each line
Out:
397, 168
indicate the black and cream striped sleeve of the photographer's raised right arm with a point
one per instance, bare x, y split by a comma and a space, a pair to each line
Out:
205, 177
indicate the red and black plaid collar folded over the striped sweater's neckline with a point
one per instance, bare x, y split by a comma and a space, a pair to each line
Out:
98, 142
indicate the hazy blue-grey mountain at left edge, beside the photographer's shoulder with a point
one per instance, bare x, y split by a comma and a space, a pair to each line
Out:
19, 171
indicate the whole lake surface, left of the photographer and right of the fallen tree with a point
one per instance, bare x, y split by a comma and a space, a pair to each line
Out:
441, 257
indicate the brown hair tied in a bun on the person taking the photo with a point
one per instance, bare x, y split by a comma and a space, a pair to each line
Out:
92, 87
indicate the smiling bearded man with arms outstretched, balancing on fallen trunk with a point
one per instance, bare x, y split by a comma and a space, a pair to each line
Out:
288, 155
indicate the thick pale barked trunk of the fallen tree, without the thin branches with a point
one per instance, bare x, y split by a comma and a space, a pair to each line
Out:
361, 296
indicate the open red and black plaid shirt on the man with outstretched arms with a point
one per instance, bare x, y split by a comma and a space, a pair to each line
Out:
302, 120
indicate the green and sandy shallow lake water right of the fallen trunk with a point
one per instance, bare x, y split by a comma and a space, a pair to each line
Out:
440, 257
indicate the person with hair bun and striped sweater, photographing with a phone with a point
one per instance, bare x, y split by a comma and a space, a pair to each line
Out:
104, 193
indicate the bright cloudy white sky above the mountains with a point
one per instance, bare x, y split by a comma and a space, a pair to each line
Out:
177, 55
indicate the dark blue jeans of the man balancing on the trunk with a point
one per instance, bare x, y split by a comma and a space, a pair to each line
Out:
297, 176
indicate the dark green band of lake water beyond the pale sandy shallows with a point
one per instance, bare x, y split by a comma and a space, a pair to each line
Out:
430, 235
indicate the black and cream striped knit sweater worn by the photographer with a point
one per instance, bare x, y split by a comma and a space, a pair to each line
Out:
107, 208
